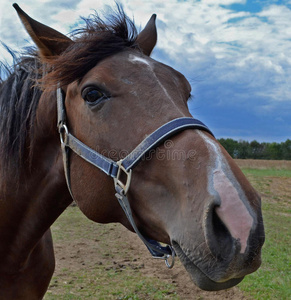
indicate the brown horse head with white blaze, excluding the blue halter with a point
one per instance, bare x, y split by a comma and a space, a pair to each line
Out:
186, 192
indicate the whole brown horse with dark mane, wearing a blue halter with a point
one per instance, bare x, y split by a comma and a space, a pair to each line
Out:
187, 193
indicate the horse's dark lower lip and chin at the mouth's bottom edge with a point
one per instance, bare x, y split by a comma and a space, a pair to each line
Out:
199, 277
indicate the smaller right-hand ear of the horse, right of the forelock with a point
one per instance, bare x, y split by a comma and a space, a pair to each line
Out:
147, 38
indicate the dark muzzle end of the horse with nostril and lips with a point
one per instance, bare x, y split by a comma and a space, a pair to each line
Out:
214, 258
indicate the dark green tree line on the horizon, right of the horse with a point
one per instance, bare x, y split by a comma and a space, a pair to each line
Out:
256, 150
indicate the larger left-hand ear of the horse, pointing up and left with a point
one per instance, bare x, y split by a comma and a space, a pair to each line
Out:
49, 41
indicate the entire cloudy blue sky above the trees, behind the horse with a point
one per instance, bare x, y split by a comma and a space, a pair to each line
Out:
236, 54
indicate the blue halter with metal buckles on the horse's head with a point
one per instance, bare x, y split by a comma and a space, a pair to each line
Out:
123, 166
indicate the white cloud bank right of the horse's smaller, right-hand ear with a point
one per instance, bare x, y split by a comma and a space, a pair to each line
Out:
231, 45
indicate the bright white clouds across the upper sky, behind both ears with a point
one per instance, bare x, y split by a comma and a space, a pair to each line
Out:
202, 34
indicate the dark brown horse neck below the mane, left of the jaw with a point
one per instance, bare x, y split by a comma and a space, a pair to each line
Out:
33, 201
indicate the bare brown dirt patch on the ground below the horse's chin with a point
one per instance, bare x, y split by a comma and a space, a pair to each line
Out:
71, 256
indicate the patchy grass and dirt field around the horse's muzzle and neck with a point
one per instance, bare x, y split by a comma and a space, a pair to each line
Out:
107, 262
